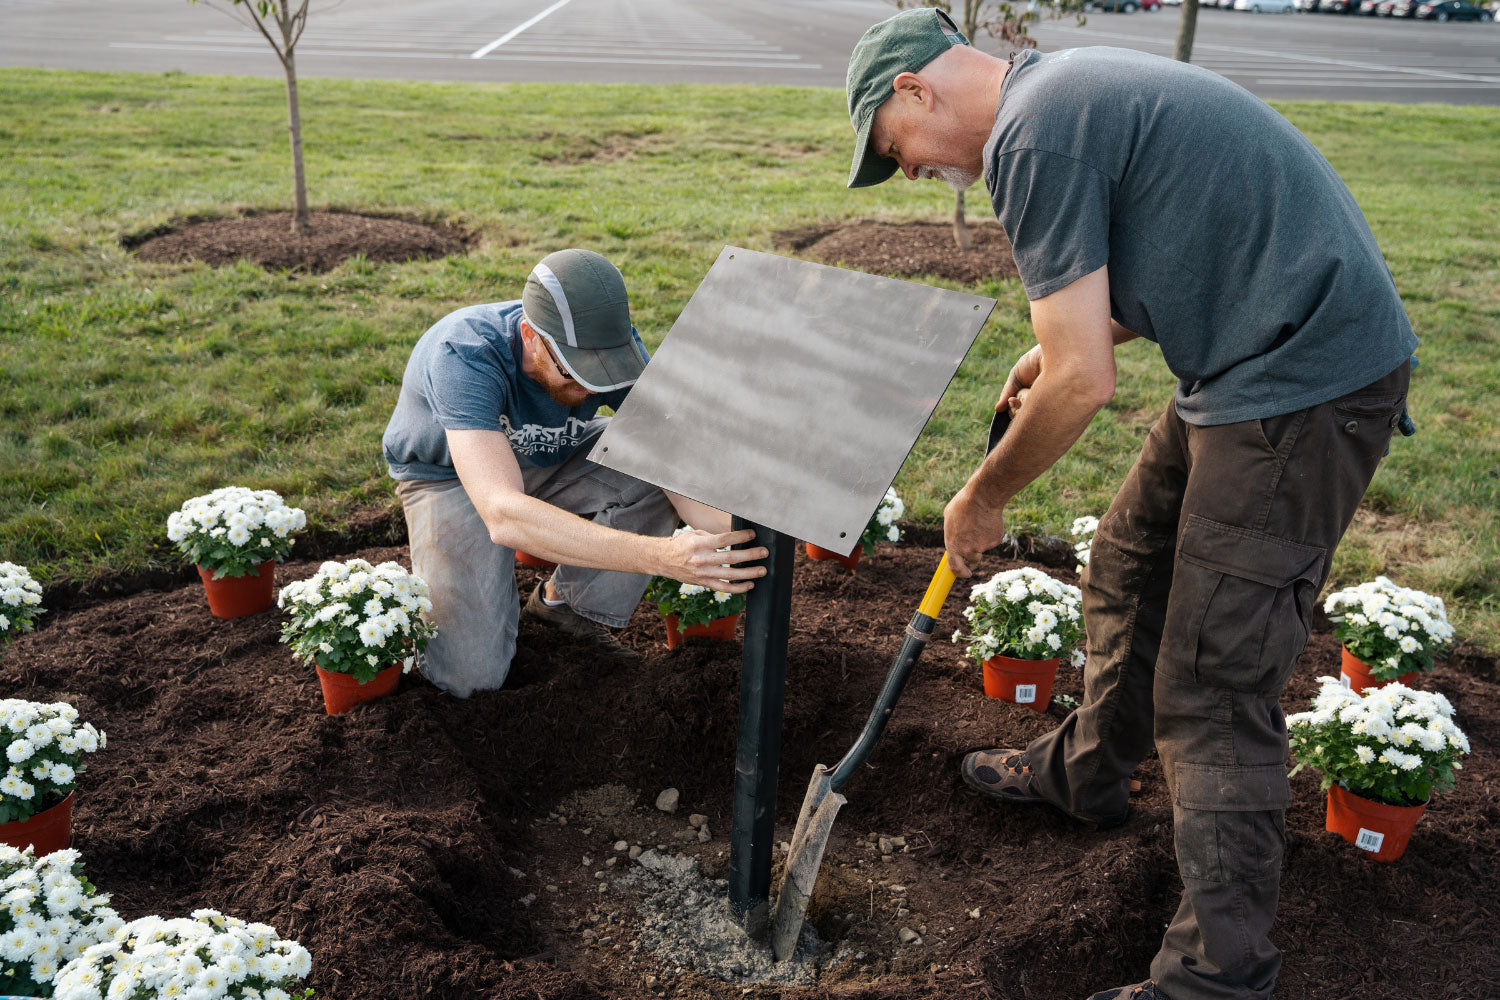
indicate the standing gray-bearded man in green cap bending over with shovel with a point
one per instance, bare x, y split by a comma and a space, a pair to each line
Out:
1274, 308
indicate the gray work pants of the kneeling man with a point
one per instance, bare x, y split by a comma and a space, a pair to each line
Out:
472, 579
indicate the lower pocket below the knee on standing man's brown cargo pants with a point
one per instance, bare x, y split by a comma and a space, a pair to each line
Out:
1229, 822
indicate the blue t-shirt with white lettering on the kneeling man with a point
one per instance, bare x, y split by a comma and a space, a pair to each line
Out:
466, 376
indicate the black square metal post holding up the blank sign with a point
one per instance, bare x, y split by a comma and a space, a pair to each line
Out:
763, 693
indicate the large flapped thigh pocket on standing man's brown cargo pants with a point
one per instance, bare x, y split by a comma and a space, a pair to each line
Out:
1240, 606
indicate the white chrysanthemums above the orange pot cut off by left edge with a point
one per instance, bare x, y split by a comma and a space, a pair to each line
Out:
44, 755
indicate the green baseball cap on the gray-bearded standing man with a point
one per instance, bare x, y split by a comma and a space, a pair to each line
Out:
902, 44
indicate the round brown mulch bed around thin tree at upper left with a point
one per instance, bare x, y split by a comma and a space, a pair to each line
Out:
268, 239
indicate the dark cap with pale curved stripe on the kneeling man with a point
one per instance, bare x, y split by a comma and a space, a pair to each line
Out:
577, 302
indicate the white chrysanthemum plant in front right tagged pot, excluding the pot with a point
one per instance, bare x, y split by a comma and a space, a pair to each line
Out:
1393, 746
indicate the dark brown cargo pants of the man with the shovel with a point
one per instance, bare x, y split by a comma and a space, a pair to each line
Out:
1196, 600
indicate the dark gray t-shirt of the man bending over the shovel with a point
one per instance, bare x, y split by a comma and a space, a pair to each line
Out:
1231, 241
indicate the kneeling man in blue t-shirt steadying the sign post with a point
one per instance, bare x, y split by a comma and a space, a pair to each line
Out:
490, 443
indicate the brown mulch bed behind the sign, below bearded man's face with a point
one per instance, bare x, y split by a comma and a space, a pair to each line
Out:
905, 250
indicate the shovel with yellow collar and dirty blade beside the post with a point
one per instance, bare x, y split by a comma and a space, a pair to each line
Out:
824, 792
